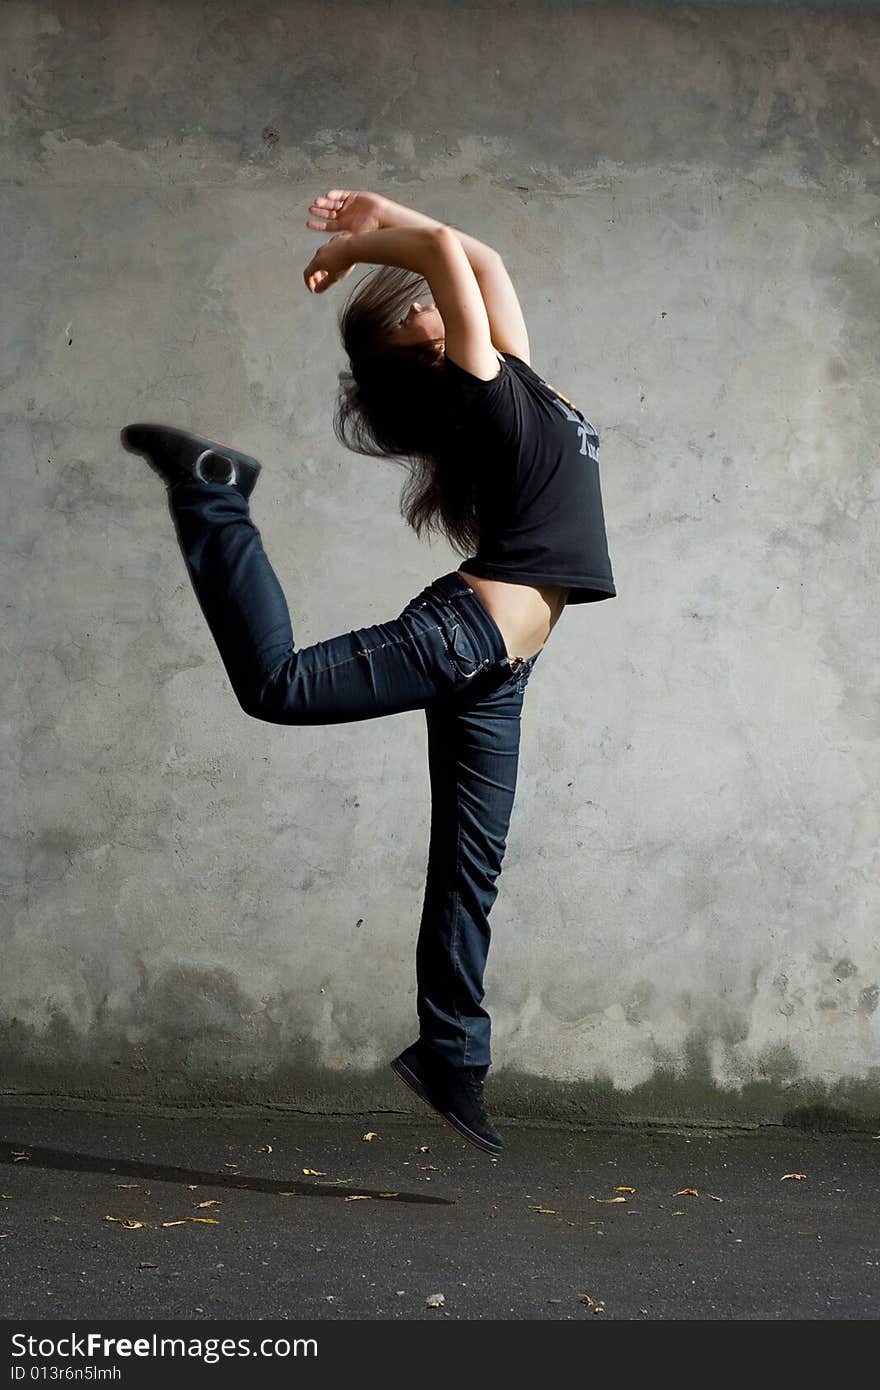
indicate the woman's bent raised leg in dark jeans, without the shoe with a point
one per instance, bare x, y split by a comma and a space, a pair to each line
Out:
443, 646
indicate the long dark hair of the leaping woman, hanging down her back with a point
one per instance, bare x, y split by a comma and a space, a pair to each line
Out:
396, 404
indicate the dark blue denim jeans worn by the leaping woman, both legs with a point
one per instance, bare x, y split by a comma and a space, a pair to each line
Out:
443, 654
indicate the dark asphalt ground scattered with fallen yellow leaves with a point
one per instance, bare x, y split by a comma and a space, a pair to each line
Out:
120, 1214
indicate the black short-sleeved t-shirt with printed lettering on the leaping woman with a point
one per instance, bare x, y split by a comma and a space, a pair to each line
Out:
537, 477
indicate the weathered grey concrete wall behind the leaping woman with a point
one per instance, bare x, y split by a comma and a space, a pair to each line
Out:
198, 906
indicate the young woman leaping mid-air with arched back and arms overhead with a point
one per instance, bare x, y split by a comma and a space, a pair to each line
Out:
503, 465
